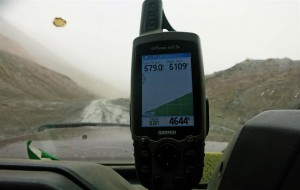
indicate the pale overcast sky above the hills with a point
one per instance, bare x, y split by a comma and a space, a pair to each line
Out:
98, 35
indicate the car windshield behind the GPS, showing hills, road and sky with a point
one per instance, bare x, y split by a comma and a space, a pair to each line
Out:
65, 68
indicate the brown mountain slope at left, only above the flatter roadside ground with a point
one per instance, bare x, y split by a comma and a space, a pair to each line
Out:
21, 78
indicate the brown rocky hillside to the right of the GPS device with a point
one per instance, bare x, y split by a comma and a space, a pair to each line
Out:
248, 88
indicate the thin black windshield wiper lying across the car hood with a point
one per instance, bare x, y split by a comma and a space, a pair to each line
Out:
85, 124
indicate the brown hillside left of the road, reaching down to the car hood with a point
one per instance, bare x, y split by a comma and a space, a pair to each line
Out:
32, 95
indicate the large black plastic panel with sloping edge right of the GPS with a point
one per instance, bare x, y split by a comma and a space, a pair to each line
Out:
264, 155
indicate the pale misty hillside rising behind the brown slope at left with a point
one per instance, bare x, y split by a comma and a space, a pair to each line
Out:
49, 58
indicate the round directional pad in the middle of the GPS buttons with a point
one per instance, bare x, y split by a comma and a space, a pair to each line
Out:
167, 156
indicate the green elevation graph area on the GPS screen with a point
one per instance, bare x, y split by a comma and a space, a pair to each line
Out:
182, 106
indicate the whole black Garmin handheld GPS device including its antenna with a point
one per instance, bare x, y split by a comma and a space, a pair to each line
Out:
168, 104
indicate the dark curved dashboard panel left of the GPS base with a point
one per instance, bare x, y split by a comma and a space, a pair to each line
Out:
56, 175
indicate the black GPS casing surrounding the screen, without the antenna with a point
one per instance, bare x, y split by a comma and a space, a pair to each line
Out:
173, 160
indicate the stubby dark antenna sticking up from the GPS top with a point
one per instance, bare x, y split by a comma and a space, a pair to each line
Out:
153, 18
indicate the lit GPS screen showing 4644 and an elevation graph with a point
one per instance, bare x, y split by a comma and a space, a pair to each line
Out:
167, 93
